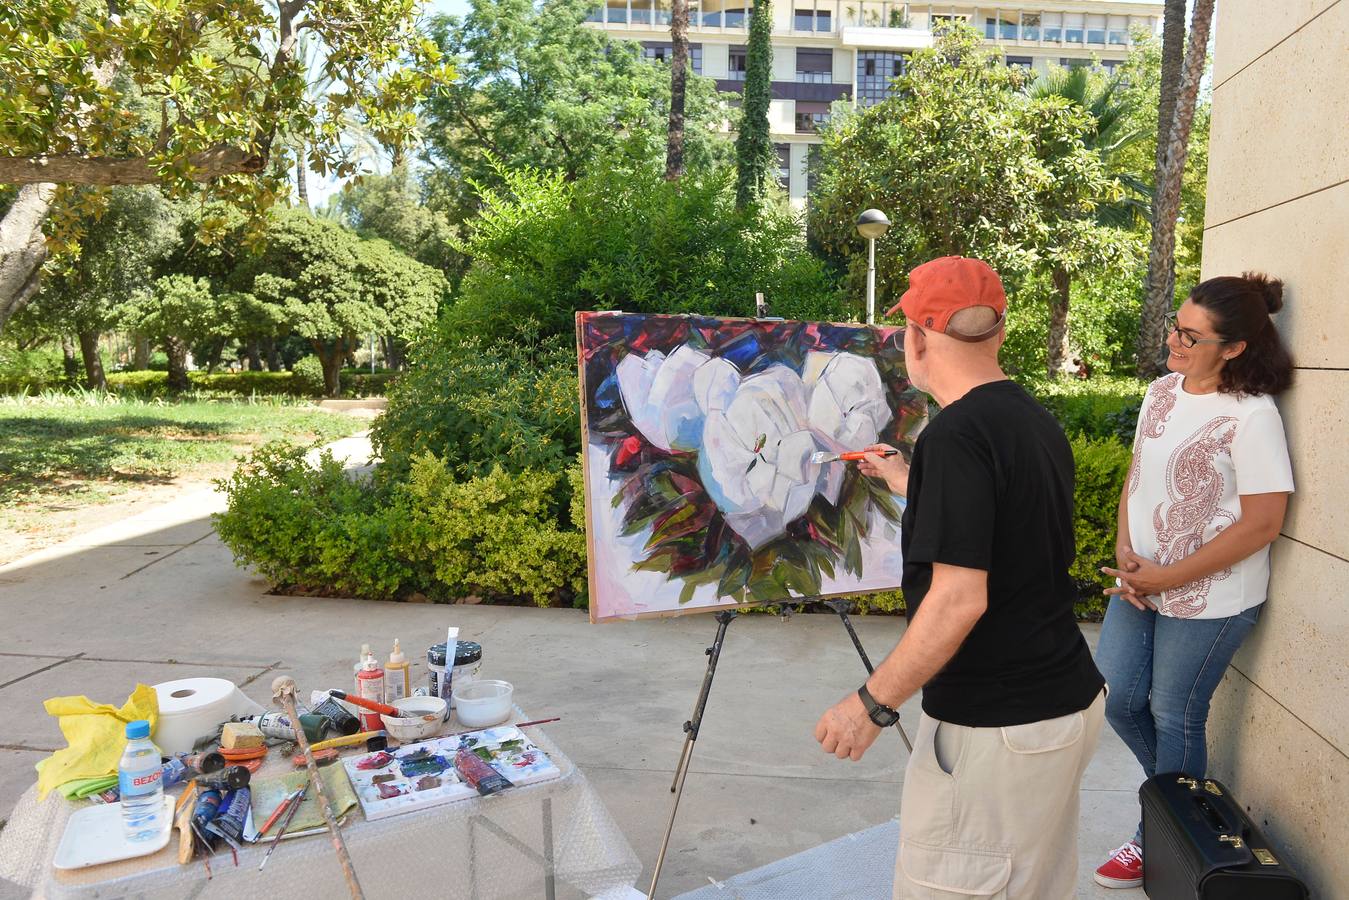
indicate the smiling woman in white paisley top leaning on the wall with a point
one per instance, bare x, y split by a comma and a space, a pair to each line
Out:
1205, 499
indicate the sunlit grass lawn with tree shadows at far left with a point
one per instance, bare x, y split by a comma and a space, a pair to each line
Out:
60, 453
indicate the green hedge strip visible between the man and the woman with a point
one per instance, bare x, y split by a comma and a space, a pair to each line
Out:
1103, 469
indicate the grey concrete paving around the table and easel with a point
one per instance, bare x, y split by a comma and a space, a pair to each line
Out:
159, 597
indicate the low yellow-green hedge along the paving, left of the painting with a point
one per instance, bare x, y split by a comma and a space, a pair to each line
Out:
497, 536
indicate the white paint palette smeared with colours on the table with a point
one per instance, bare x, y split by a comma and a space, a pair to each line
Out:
420, 777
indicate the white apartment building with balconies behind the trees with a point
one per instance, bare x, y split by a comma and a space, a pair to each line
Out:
832, 51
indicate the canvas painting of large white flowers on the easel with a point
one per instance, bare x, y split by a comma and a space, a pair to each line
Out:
702, 484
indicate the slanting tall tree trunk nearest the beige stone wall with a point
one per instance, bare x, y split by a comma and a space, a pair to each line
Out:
1161, 288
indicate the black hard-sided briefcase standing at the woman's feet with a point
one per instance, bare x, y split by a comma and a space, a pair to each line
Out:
1199, 844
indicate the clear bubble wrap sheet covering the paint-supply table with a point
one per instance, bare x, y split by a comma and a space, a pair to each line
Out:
485, 849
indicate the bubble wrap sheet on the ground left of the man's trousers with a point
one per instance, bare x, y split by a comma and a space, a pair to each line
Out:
856, 867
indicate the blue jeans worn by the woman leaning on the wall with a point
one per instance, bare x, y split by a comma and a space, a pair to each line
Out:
1162, 674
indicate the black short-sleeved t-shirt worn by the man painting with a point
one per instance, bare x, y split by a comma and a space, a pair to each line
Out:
991, 488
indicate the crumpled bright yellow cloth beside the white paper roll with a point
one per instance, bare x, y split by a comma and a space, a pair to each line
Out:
96, 735
